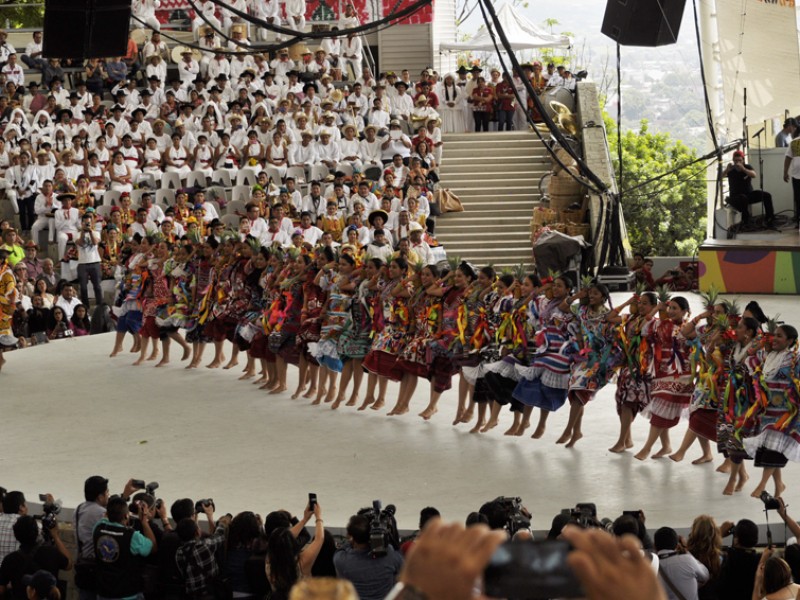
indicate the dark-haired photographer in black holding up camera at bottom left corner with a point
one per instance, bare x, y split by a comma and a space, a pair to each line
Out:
32, 556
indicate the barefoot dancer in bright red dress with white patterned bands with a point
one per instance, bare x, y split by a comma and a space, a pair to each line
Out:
671, 389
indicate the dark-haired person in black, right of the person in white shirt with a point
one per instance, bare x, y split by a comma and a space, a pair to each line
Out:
741, 560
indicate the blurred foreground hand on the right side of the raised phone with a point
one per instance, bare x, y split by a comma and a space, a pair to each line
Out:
610, 568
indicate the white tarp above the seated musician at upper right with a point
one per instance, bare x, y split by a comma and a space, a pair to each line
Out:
758, 51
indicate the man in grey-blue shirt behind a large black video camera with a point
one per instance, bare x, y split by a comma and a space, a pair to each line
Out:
372, 576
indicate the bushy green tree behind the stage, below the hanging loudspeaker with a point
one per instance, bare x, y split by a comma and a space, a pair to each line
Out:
666, 217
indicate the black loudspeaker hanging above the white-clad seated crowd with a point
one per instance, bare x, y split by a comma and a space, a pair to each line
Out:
86, 28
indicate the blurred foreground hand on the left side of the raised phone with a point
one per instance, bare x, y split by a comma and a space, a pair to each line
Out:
446, 560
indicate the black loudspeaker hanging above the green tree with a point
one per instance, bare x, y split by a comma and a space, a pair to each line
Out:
643, 22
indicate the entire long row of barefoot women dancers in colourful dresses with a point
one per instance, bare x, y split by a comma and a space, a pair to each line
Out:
512, 339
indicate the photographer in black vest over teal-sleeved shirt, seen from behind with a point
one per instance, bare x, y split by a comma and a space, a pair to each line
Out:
119, 550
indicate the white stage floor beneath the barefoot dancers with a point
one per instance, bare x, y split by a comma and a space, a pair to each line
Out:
69, 412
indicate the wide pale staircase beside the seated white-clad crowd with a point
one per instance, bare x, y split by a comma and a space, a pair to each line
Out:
496, 177
